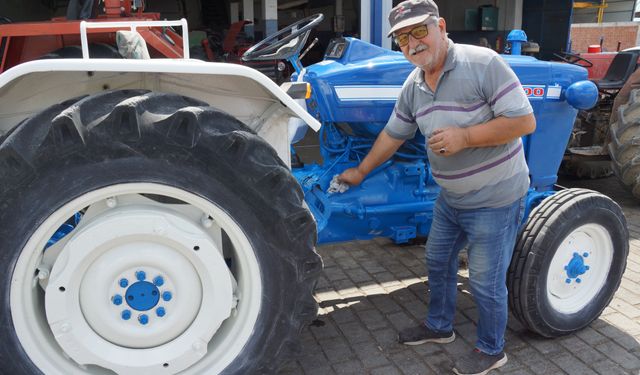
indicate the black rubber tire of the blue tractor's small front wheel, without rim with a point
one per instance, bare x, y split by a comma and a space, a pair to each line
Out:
548, 225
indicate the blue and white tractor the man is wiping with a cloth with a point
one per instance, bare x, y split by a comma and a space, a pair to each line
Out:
151, 223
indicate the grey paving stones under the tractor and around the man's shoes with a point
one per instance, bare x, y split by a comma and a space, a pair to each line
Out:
370, 289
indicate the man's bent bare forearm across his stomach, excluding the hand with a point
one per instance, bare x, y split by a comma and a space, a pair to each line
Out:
500, 130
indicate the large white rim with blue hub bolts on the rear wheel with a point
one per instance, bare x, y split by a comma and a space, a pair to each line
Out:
207, 321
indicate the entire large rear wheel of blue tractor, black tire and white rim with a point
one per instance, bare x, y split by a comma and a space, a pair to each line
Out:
194, 252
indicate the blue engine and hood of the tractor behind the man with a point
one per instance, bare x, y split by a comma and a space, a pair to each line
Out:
354, 101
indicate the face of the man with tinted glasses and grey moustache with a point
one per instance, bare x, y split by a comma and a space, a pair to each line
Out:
424, 52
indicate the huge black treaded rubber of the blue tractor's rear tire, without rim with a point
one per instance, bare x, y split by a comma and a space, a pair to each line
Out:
54, 157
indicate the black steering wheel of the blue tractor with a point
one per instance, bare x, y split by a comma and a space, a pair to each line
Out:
285, 43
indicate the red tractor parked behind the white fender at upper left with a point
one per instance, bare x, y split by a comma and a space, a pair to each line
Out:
59, 38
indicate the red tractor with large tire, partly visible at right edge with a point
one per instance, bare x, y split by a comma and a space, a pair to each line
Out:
604, 138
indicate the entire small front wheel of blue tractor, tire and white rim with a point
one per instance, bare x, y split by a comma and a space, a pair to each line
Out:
568, 262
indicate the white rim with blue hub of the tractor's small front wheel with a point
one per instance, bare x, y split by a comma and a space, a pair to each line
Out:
579, 268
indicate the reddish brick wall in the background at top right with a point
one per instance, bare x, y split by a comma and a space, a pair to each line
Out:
583, 35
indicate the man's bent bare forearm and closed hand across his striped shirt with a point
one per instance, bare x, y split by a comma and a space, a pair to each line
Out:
498, 131
